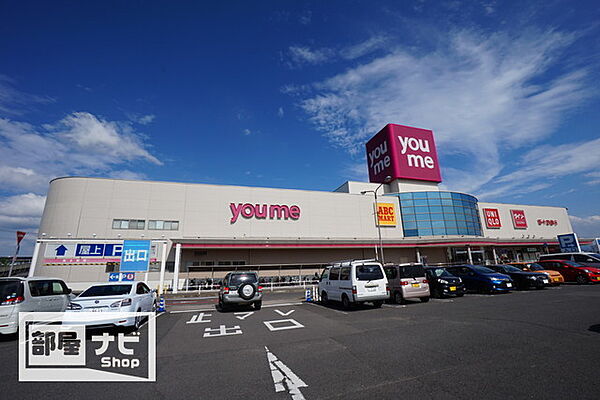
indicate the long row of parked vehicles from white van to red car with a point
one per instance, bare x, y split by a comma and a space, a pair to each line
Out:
360, 281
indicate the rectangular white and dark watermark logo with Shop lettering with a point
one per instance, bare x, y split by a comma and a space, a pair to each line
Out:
78, 346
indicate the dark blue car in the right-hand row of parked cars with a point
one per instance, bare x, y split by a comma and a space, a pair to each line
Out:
482, 279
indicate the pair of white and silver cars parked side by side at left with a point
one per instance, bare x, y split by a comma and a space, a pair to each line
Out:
39, 294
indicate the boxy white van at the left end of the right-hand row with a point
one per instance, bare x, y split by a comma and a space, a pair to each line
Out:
354, 282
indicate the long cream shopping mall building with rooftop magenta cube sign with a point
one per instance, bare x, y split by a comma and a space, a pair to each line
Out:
202, 231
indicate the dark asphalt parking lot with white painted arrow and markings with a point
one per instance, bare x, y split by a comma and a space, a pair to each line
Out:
529, 344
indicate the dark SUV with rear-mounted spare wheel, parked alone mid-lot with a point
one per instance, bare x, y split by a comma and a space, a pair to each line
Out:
240, 288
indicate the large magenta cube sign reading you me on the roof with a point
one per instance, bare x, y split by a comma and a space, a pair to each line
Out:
403, 152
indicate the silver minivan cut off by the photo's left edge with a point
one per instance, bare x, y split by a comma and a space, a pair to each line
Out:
30, 294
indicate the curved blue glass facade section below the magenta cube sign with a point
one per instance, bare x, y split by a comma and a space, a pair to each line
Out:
439, 213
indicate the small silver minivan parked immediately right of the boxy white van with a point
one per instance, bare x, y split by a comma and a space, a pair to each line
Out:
407, 281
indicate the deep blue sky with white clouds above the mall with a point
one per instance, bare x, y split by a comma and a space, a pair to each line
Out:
285, 94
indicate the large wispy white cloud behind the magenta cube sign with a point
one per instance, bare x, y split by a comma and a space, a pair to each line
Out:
476, 92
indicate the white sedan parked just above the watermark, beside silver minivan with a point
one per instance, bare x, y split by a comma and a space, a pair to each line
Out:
116, 297
